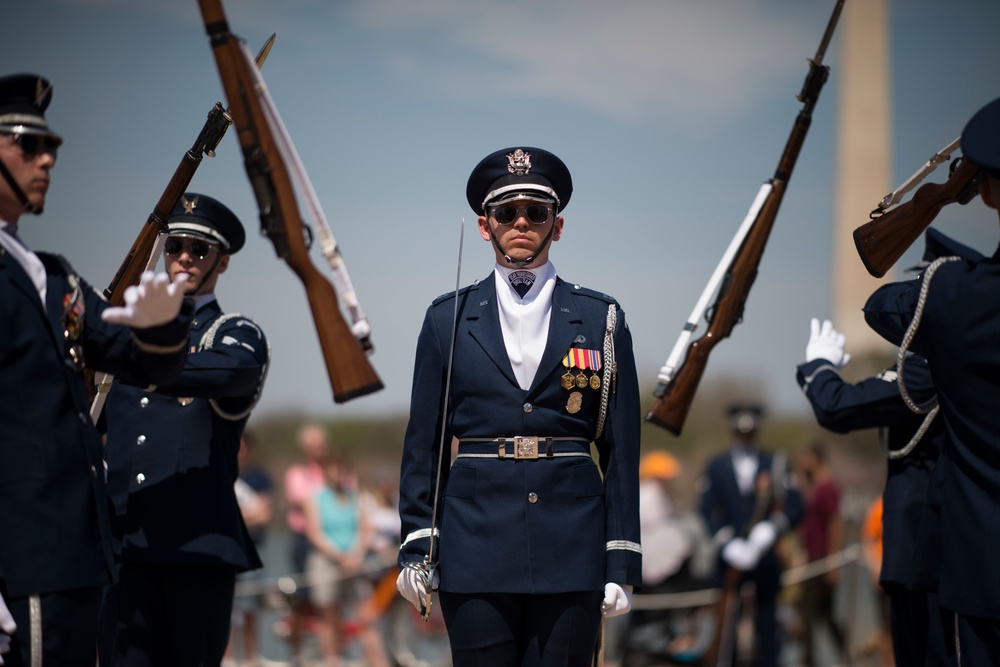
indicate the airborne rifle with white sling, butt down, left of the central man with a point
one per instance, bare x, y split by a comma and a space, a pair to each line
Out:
271, 162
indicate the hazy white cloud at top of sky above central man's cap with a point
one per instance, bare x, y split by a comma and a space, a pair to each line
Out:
633, 60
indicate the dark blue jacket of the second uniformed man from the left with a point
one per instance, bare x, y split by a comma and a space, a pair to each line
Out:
172, 457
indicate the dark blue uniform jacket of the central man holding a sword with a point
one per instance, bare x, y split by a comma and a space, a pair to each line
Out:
578, 531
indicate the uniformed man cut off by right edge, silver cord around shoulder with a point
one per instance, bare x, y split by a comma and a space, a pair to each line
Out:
952, 313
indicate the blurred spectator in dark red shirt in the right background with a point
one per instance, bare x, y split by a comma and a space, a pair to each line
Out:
821, 533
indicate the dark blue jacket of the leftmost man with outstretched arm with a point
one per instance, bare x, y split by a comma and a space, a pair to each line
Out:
54, 532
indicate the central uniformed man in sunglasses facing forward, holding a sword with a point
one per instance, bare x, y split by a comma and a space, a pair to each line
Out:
534, 538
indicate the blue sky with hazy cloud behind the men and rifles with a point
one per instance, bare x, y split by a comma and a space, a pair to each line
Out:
669, 114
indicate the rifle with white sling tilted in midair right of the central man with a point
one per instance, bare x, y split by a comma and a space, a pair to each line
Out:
733, 277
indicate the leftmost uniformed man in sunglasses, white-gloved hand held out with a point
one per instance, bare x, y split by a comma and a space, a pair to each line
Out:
55, 541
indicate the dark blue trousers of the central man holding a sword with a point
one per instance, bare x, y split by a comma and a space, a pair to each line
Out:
520, 630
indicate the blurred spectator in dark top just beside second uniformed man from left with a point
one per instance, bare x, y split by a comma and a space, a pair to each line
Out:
255, 495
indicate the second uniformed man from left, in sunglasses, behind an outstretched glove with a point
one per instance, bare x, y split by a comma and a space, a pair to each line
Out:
172, 459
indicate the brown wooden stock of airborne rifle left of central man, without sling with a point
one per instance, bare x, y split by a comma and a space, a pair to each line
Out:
349, 371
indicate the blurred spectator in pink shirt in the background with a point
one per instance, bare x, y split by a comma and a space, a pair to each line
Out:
302, 481
